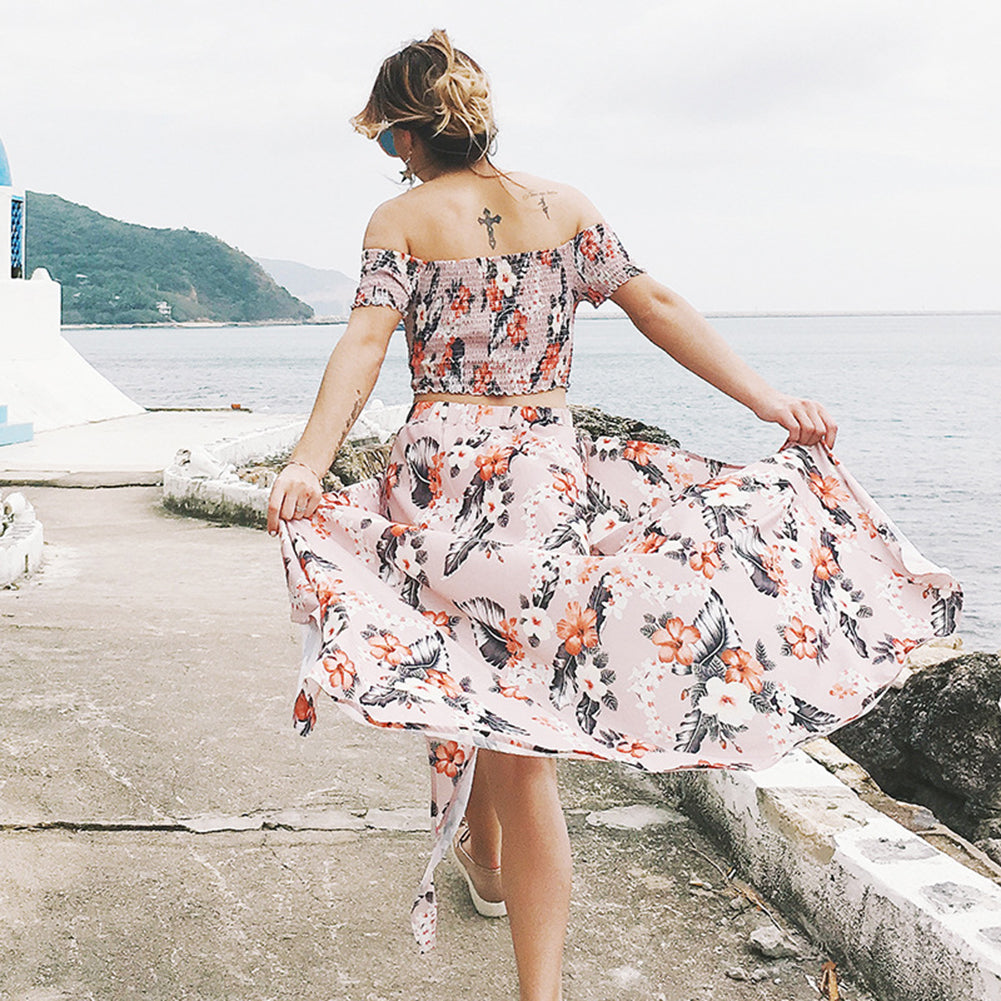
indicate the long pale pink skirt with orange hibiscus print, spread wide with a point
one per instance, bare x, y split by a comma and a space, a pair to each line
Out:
510, 583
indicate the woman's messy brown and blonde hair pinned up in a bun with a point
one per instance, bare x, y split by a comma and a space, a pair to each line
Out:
437, 92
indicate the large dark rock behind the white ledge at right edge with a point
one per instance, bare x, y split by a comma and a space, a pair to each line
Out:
937, 741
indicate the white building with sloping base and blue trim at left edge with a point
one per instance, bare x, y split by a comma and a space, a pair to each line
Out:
45, 382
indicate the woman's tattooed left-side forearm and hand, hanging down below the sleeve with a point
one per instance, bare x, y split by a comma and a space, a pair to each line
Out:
348, 383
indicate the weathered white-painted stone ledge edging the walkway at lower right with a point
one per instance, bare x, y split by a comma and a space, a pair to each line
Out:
909, 919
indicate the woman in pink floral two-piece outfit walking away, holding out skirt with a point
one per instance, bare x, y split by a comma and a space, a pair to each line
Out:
517, 591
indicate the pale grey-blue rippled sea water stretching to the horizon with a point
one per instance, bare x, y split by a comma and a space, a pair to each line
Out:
916, 399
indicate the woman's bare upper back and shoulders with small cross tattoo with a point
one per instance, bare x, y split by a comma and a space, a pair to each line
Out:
464, 215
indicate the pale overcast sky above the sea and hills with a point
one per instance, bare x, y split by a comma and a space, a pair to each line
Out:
752, 155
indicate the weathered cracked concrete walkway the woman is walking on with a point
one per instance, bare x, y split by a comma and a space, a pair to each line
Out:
166, 835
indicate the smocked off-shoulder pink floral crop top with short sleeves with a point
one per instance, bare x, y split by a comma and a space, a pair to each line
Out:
495, 326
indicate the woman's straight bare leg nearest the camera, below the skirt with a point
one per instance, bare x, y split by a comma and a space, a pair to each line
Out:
536, 862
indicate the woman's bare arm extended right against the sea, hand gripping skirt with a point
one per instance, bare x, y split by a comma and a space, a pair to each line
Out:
672, 324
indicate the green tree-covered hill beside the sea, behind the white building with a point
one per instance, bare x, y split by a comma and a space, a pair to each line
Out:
118, 273
